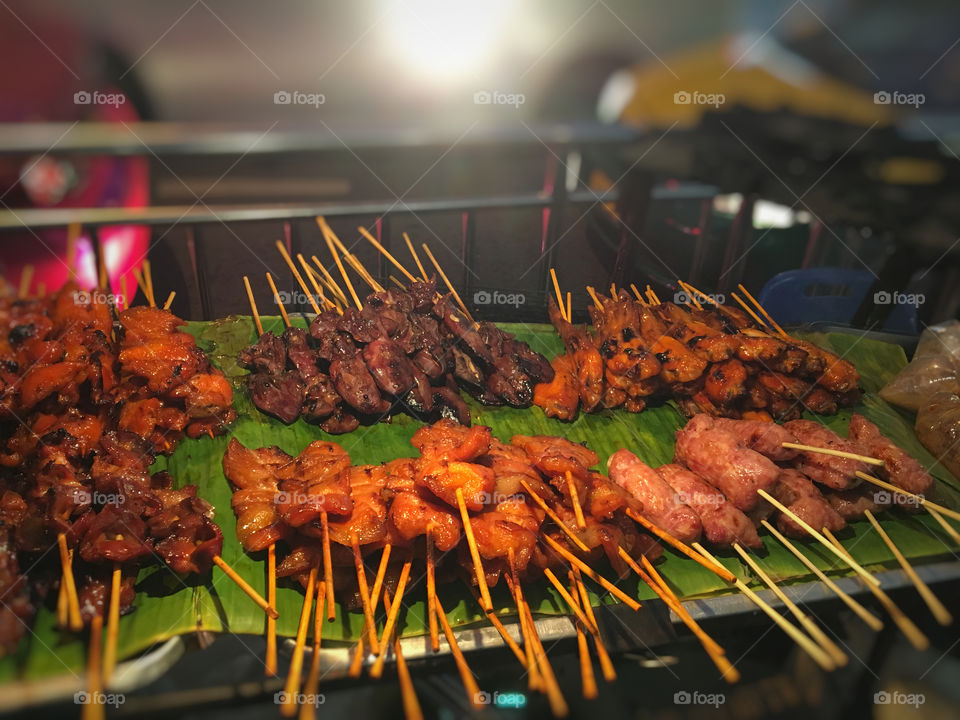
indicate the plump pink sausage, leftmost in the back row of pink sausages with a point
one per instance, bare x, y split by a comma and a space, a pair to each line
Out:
718, 457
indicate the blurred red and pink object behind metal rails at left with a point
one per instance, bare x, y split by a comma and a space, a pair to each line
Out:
48, 86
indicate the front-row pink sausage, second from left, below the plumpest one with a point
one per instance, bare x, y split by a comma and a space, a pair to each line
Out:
723, 524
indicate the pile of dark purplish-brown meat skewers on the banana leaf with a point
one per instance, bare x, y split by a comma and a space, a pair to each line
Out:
405, 348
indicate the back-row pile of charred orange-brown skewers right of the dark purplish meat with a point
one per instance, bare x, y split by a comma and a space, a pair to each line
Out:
710, 358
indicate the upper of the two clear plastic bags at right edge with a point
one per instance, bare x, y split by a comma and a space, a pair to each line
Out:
935, 369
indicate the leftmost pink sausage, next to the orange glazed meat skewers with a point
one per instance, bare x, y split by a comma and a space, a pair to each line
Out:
660, 501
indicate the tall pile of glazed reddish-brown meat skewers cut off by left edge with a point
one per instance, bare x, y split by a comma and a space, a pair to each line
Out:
90, 393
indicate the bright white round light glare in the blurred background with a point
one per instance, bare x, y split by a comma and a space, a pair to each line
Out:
447, 39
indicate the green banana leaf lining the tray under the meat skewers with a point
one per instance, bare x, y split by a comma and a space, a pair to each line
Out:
168, 605
